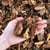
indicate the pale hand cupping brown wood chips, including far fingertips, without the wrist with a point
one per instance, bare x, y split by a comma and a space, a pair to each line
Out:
8, 33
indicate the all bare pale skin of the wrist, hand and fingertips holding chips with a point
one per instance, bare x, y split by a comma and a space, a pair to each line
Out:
8, 38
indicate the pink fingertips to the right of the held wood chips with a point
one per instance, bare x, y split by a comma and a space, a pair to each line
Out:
42, 23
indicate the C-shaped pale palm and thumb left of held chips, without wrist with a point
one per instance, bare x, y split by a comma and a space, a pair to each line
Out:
9, 32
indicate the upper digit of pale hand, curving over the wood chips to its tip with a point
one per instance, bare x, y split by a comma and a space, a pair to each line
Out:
11, 26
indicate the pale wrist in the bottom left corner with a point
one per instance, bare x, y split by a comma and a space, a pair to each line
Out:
4, 44
